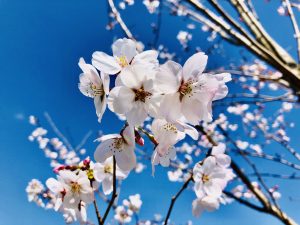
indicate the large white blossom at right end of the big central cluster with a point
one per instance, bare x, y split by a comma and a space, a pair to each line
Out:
187, 91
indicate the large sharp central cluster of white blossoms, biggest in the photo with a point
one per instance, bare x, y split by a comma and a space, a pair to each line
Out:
175, 97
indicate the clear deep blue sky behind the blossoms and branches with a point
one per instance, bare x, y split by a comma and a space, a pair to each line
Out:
40, 44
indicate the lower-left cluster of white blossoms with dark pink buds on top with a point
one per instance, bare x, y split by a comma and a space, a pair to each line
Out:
74, 188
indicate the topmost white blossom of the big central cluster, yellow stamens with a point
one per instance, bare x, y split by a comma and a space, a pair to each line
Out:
124, 54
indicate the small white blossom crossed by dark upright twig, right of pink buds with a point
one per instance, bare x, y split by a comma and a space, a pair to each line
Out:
103, 173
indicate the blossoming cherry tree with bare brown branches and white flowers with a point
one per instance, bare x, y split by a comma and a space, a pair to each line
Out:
207, 127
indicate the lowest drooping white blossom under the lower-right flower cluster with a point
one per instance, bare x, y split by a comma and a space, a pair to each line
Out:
207, 203
